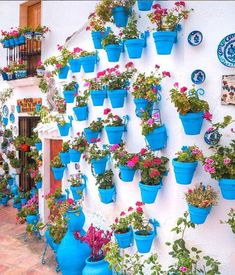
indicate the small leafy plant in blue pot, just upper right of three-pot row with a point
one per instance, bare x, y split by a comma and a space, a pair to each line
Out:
112, 45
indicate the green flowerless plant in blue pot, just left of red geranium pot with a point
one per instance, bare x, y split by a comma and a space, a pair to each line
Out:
106, 187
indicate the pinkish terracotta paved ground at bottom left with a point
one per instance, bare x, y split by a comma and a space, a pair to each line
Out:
16, 256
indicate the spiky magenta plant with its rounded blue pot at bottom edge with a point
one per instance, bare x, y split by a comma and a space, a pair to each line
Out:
96, 239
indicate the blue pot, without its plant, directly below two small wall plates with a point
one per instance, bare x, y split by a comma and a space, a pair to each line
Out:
192, 123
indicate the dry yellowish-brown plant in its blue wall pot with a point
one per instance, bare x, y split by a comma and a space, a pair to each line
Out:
200, 201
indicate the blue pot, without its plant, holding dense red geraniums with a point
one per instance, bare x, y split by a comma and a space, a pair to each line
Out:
149, 192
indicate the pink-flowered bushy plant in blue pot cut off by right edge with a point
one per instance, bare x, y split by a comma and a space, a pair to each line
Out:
221, 166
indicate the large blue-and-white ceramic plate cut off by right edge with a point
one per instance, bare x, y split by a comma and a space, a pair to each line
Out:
226, 50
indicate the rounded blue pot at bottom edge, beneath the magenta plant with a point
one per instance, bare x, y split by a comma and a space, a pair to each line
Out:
96, 268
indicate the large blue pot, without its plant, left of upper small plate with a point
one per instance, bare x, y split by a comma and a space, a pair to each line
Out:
164, 41
